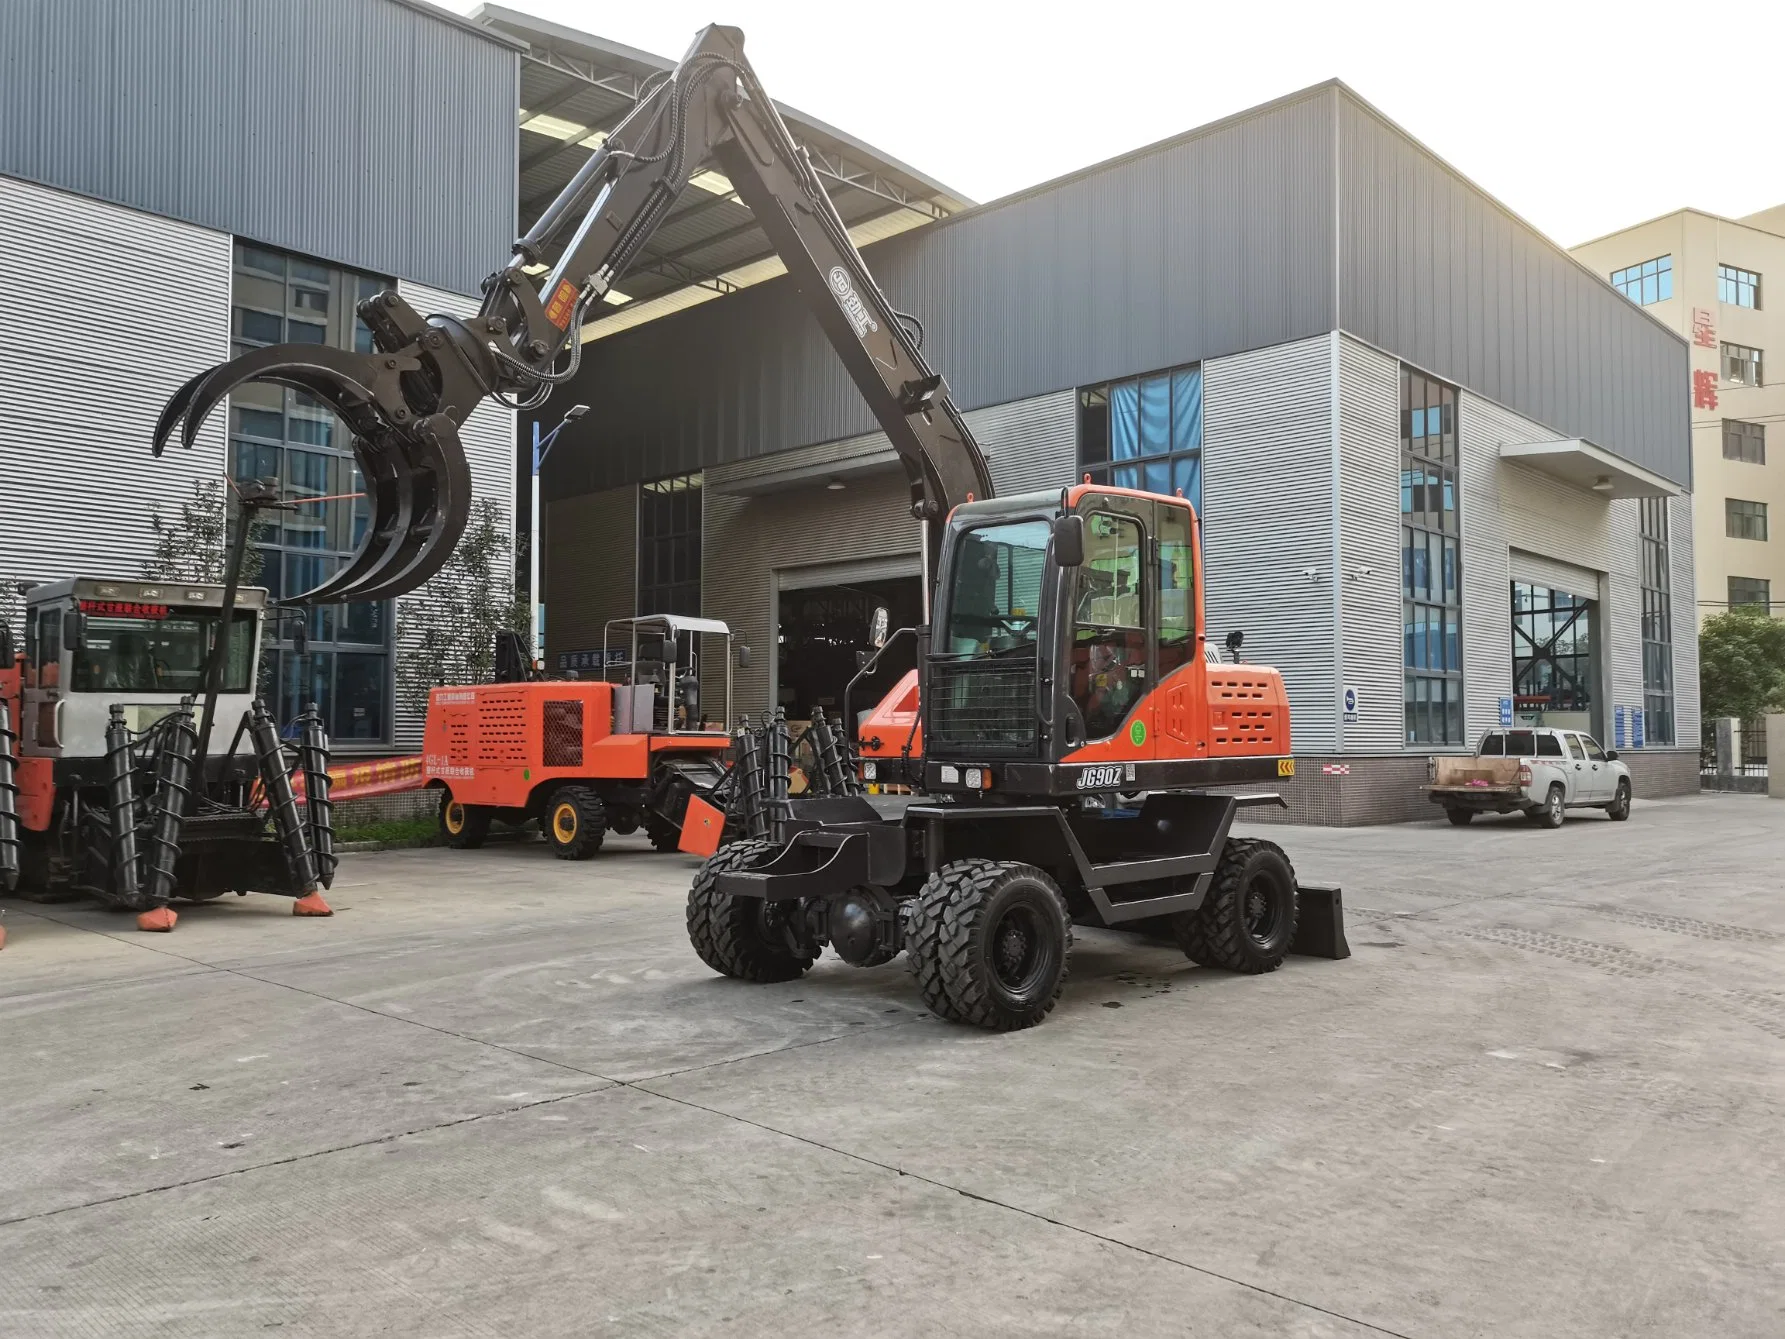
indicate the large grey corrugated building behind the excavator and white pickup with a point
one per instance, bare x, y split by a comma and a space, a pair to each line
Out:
1441, 467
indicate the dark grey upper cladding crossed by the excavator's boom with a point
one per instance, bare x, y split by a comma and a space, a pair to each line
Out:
1208, 245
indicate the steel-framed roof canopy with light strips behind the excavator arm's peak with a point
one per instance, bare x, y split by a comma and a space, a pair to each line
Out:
576, 88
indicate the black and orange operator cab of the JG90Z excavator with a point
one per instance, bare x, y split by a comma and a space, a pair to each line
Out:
1068, 629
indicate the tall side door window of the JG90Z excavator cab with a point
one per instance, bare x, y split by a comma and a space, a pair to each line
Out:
1109, 626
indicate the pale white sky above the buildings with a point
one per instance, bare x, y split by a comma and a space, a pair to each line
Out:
1581, 115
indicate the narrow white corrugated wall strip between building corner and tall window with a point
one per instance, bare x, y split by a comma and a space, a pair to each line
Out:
1370, 549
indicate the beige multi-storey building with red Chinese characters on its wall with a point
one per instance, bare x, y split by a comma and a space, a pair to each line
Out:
1722, 285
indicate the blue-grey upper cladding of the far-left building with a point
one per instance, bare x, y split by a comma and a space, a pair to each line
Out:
365, 133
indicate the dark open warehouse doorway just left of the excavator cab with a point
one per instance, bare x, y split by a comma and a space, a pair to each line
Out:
826, 629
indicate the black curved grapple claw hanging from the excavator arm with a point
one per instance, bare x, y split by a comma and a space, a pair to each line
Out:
419, 483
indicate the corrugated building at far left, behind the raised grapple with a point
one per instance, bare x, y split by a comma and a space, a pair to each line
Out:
183, 181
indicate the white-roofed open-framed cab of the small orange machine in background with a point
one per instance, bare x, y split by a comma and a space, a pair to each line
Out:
667, 681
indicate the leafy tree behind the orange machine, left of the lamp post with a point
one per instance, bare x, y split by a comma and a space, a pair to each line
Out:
447, 633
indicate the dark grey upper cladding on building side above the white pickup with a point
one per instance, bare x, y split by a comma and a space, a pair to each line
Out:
1440, 274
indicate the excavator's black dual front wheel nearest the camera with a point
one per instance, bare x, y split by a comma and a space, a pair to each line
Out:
990, 944
